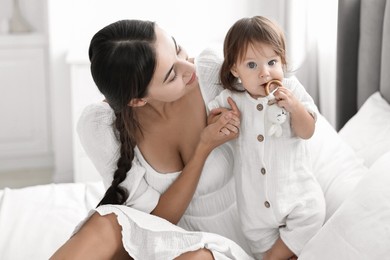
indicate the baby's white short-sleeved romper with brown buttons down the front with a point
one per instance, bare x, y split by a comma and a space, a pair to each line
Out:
277, 194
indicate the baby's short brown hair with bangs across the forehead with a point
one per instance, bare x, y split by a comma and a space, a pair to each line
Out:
241, 35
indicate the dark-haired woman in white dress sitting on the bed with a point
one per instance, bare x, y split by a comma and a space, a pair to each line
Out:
151, 144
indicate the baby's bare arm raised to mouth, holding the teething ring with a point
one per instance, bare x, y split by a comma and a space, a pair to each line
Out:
302, 122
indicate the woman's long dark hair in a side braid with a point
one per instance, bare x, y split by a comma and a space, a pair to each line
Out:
123, 61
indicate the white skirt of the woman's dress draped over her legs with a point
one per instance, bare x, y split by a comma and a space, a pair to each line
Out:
148, 237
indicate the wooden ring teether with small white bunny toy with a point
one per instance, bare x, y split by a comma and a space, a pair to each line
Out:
276, 115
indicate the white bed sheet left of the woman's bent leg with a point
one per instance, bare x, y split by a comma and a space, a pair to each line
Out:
35, 221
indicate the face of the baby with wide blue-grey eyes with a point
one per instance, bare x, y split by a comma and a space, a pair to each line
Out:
259, 65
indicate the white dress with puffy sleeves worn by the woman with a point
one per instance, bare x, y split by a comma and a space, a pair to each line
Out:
213, 208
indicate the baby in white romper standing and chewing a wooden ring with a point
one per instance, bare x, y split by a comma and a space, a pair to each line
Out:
280, 203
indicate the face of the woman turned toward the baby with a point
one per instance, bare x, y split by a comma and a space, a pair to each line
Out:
174, 74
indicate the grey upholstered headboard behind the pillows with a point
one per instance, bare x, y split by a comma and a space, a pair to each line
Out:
363, 54
